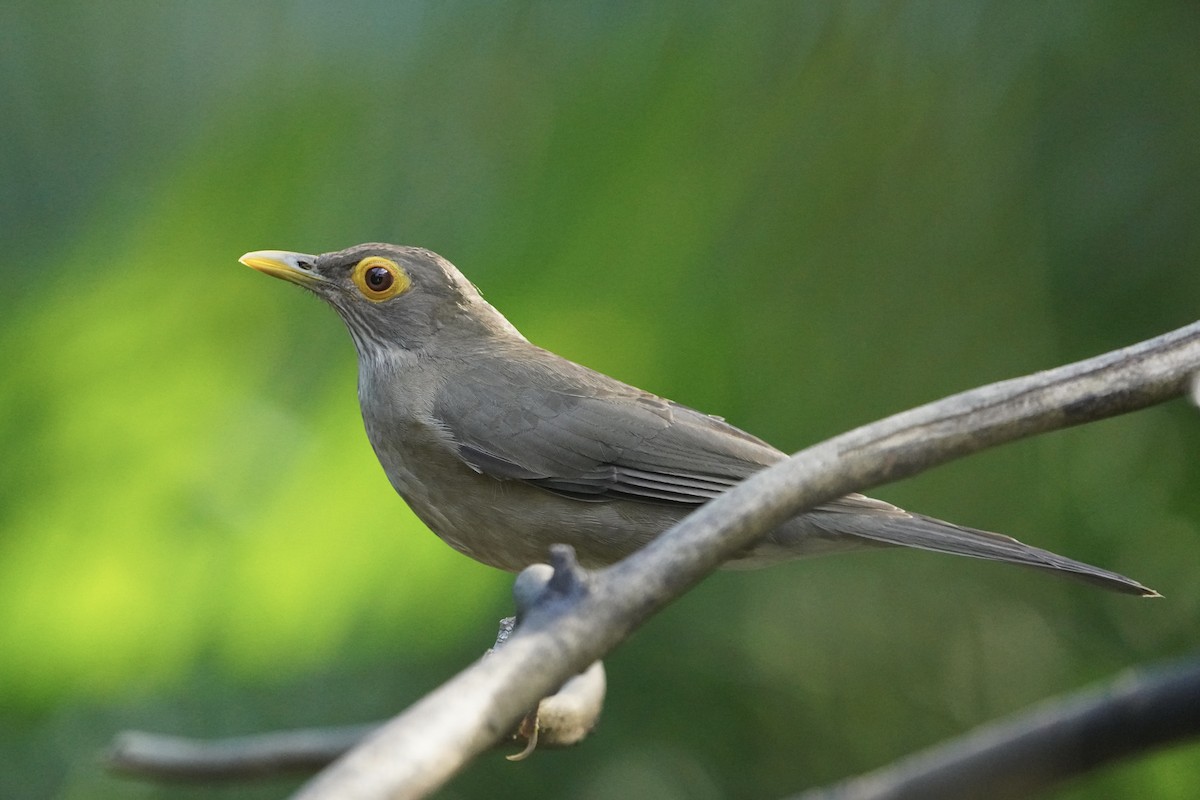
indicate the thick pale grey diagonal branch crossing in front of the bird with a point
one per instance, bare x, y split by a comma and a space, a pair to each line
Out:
581, 617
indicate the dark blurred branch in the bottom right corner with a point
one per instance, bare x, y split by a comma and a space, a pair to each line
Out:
1055, 742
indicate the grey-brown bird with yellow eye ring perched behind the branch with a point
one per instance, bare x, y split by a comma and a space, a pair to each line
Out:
505, 449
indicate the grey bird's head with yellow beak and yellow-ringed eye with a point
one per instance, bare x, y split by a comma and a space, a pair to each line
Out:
389, 296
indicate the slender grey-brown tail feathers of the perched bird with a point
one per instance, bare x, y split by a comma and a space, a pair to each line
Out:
928, 534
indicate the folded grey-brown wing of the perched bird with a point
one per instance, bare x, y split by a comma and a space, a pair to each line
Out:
541, 419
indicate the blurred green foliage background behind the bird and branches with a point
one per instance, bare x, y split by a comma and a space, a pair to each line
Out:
800, 216
